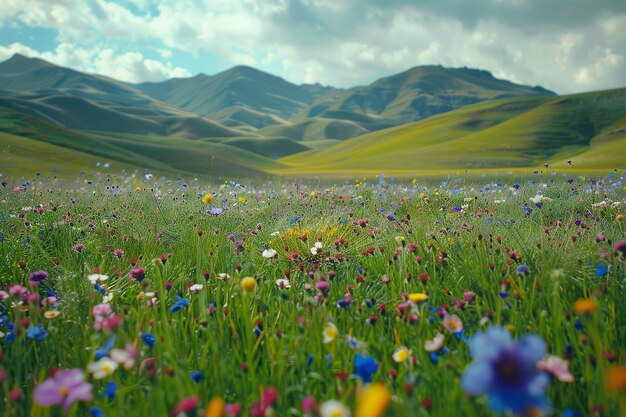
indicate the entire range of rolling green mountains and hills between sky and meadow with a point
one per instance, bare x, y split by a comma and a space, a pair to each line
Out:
244, 120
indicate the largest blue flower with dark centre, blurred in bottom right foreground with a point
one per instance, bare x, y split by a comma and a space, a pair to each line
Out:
506, 371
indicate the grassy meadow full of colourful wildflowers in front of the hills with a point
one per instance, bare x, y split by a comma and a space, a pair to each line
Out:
130, 295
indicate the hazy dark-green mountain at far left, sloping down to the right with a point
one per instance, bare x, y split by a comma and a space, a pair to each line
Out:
90, 102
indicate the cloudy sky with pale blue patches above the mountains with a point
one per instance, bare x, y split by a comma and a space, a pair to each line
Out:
567, 46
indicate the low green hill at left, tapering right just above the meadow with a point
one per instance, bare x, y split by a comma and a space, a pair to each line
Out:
164, 154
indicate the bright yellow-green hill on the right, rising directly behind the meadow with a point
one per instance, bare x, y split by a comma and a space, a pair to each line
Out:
520, 132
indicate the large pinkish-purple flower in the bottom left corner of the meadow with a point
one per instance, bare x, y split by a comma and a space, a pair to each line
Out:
63, 388
